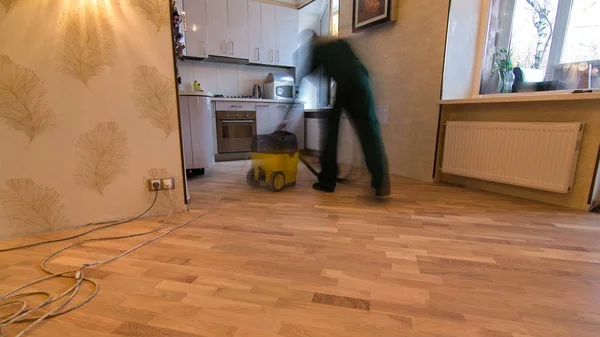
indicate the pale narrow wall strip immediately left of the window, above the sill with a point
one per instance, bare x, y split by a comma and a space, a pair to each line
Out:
461, 48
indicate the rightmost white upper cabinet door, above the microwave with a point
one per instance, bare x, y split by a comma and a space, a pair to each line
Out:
287, 23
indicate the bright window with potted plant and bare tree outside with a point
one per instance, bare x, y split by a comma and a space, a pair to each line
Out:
542, 45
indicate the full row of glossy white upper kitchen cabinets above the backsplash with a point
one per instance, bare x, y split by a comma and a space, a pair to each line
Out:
245, 29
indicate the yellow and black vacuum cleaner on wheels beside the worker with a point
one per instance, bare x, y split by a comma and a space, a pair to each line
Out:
274, 160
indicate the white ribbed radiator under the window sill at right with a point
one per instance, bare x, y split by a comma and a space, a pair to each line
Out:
535, 155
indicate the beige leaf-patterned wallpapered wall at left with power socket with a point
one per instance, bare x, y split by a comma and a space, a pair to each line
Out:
88, 112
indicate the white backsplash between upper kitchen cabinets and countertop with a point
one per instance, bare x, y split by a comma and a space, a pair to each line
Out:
225, 79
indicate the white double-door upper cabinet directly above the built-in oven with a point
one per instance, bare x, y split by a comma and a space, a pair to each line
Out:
227, 28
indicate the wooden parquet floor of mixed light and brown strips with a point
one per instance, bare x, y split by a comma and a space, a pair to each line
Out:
433, 261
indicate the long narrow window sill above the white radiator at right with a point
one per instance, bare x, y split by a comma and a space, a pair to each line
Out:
524, 97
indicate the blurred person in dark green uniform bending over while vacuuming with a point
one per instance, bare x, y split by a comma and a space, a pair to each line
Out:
339, 62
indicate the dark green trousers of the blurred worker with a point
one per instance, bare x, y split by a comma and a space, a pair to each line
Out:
357, 100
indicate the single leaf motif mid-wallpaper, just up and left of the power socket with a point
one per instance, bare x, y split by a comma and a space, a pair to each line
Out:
102, 155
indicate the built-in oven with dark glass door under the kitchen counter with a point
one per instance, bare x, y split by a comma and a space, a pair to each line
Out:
235, 130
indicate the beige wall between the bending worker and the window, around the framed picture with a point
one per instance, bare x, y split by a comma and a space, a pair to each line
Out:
405, 61
